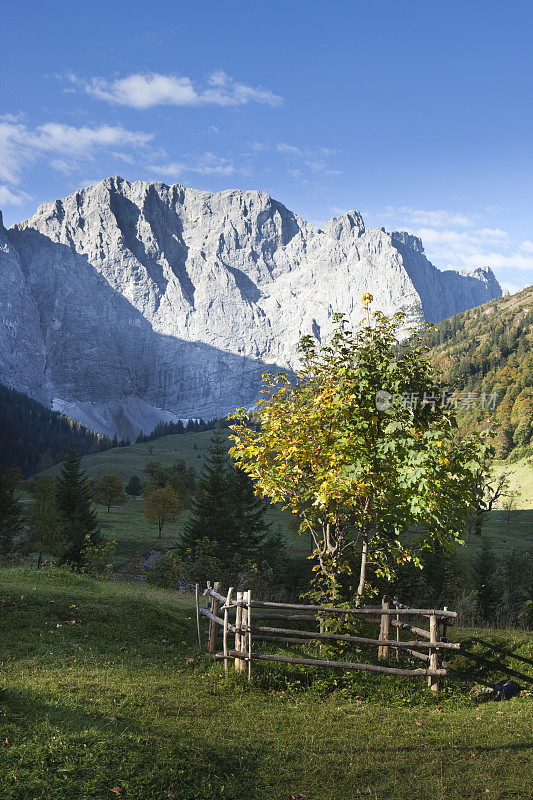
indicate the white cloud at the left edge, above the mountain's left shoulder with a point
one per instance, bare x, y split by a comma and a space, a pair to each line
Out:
64, 145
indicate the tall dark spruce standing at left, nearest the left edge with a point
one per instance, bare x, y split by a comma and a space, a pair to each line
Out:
74, 504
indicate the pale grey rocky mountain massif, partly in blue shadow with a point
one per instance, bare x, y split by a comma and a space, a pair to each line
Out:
126, 303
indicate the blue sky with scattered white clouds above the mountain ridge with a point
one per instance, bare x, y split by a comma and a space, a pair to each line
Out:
418, 113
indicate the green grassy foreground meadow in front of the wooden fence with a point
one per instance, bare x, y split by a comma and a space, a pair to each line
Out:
110, 701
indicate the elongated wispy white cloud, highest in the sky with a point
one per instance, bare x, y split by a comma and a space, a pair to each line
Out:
144, 90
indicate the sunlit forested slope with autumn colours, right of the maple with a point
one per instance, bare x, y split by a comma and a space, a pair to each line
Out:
488, 352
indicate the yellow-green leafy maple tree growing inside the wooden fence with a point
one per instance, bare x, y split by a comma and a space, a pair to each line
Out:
360, 447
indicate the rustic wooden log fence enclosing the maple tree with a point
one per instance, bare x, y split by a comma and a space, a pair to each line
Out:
235, 617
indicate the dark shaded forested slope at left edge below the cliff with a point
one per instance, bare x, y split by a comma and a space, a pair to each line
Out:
32, 437
